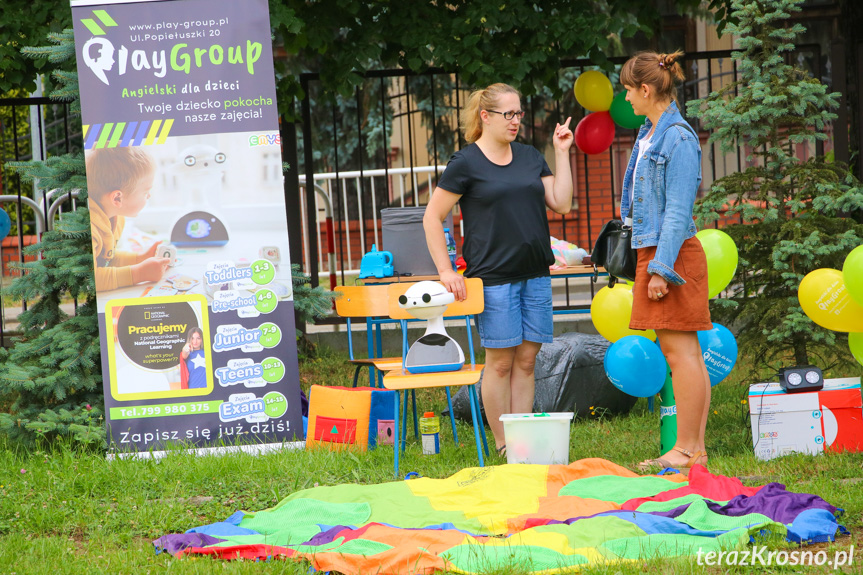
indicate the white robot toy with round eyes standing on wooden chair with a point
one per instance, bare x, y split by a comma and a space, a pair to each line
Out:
435, 351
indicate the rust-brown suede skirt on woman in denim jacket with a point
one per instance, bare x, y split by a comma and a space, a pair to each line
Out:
683, 308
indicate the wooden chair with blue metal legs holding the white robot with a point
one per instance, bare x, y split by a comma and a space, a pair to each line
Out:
400, 380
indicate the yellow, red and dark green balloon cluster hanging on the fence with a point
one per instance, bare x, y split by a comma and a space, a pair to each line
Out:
595, 132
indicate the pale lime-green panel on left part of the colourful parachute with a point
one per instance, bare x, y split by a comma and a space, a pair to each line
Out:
390, 503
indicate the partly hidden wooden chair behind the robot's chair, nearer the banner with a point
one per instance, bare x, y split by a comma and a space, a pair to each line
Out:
368, 302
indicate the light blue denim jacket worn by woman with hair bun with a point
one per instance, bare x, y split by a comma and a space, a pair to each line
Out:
664, 194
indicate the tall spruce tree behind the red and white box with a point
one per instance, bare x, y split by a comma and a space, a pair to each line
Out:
793, 211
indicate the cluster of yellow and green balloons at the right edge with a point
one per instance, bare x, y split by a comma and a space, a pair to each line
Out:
834, 299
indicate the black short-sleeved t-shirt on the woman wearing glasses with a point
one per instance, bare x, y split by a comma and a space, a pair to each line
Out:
506, 237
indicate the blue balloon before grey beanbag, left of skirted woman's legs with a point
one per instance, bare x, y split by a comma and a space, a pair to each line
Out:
635, 365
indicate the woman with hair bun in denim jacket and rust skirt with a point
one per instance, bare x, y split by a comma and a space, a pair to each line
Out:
670, 293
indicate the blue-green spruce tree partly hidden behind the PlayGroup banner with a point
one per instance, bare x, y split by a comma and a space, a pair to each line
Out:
52, 375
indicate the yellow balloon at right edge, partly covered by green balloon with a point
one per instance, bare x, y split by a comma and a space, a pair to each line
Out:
825, 299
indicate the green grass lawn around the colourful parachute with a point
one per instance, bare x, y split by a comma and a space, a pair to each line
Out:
68, 512
